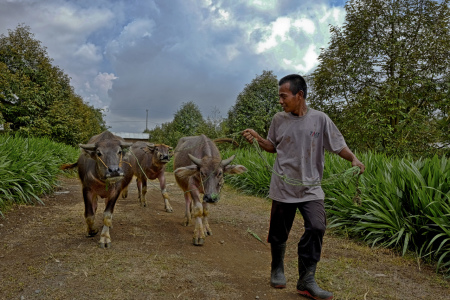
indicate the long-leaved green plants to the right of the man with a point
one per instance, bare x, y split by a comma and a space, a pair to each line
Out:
405, 205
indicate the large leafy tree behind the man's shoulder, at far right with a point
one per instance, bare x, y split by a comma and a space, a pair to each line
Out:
384, 77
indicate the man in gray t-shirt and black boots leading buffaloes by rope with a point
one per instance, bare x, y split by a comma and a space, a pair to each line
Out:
299, 136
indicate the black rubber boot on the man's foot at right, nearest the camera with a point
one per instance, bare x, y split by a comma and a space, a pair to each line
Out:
306, 285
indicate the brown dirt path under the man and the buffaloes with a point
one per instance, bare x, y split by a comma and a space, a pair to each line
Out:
44, 254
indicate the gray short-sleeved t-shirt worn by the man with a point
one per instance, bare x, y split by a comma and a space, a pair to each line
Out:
300, 143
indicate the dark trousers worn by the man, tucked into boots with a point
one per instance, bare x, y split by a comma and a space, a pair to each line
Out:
281, 218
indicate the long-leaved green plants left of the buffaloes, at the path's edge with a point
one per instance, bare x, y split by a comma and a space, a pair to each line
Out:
29, 167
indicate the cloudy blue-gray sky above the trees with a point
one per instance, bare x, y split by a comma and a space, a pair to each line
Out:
140, 60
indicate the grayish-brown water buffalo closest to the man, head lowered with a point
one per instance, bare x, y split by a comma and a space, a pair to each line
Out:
199, 169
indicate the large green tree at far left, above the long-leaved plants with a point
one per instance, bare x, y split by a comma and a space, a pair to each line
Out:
36, 98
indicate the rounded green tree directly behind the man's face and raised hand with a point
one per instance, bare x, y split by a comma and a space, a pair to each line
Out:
255, 105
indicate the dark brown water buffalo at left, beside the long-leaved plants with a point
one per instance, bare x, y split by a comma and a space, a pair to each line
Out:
104, 172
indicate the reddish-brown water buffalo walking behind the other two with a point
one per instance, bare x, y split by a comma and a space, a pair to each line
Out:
149, 162
